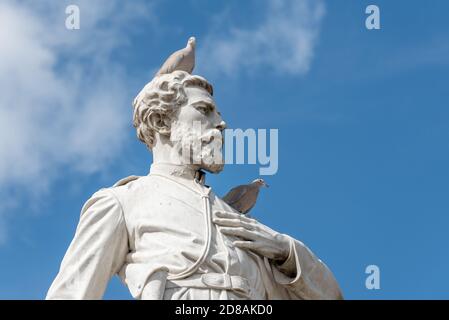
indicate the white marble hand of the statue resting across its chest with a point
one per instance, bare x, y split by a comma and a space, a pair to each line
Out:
254, 235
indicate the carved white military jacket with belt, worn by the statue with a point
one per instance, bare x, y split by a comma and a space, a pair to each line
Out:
155, 232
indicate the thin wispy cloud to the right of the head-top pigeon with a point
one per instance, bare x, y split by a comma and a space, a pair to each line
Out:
283, 41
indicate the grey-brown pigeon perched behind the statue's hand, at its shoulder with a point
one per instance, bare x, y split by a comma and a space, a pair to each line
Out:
243, 198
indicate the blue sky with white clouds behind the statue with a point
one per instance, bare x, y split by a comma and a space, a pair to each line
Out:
362, 115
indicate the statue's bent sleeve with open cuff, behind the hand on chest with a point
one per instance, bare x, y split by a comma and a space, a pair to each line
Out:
305, 276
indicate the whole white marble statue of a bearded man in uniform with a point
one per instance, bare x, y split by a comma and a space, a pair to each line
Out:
167, 235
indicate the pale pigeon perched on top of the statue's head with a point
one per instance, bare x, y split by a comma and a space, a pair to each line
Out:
183, 59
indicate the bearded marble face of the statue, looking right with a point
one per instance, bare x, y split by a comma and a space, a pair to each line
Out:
196, 131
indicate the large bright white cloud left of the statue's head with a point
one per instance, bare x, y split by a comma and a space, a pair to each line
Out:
63, 99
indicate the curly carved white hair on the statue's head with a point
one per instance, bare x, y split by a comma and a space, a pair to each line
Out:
163, 95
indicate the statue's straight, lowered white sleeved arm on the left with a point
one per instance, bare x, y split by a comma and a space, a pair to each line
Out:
96, 252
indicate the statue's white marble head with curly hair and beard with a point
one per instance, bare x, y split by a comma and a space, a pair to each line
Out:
176, 117
